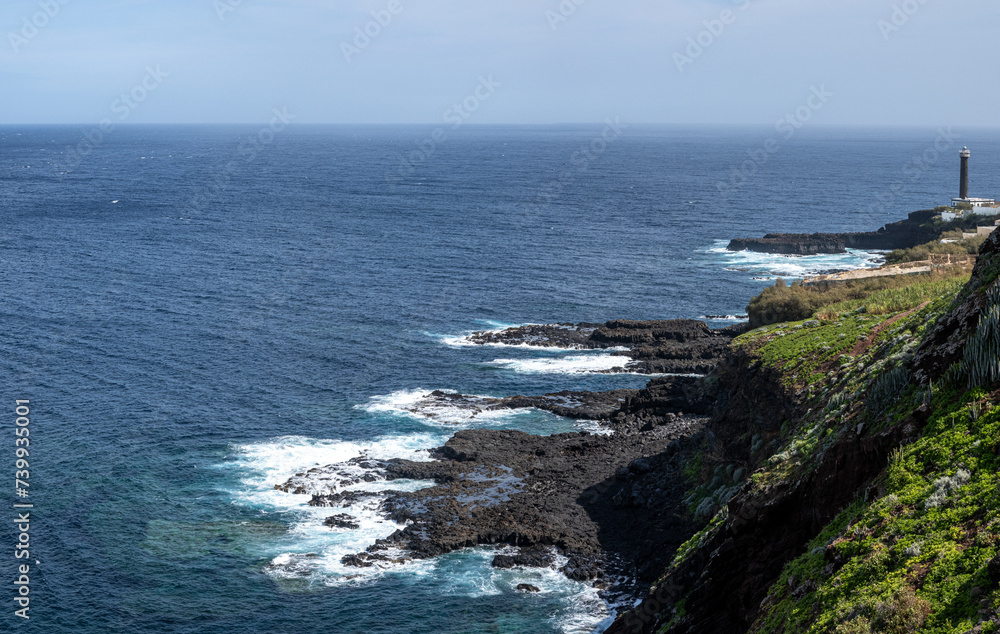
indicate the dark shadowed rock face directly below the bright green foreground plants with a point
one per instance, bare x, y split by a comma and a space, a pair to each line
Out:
725, 581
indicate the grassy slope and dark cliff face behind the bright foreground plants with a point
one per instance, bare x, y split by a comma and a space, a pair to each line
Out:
801, 466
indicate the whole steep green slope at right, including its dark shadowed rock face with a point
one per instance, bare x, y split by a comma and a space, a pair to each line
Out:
871, 503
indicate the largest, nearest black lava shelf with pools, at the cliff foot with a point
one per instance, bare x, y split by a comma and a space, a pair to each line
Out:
540, 492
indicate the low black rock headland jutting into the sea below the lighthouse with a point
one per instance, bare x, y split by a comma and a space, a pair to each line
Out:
905, 234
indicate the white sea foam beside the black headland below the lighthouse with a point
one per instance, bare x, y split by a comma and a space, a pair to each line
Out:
792, 266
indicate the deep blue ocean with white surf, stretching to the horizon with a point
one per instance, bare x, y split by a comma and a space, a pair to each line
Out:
198, 313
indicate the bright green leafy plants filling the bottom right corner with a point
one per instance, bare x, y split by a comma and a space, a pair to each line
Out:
915, 558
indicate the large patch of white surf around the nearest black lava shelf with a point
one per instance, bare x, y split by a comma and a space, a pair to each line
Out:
310, 553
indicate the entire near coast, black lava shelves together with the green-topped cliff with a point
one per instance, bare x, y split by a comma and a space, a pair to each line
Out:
832, 474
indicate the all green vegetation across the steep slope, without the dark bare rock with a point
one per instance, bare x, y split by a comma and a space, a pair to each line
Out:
919, 549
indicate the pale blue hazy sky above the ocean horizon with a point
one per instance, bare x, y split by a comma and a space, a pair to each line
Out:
876, 62
